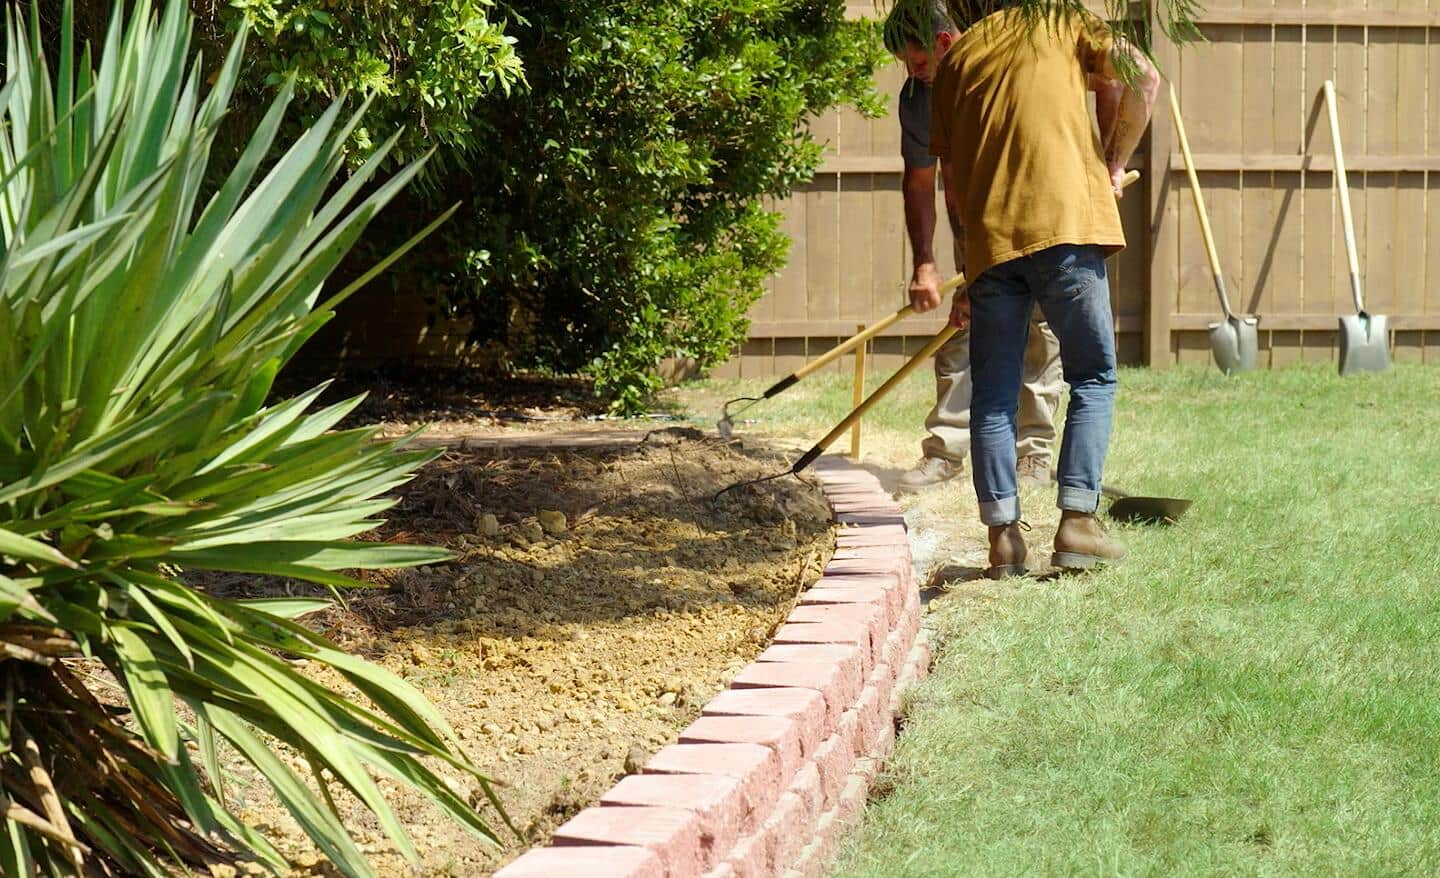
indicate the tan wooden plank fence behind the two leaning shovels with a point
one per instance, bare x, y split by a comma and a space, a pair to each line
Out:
1254, 107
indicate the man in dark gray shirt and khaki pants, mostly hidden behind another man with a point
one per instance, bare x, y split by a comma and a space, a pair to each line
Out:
919, 32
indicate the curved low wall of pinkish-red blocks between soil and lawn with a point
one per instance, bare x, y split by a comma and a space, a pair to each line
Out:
778, 766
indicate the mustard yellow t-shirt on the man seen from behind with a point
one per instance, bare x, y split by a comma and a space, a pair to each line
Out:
1010, 117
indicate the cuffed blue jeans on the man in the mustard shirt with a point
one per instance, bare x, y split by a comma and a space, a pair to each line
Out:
1071, 286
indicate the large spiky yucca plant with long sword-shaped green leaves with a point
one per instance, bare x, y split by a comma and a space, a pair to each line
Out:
143, 319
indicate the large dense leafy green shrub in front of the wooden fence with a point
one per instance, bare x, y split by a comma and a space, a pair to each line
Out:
616, 204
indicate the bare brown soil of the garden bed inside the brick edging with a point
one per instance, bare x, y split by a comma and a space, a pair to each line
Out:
577, 631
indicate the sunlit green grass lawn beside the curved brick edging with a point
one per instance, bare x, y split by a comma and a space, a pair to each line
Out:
1256, 692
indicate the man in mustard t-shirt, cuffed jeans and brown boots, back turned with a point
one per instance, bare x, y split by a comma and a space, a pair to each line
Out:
1035, 191
